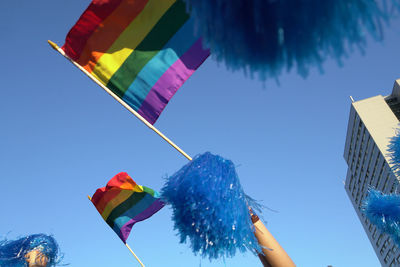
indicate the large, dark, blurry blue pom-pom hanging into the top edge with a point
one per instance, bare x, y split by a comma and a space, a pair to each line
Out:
265, 37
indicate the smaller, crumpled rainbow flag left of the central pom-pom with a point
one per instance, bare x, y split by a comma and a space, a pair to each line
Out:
122, 203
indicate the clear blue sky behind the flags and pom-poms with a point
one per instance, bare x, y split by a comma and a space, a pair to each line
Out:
61, 137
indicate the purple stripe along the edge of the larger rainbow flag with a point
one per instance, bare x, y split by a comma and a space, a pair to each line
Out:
171, 80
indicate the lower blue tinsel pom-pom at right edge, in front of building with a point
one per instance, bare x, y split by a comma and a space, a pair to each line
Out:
384, 212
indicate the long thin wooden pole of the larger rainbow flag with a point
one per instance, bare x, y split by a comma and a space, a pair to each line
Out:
58, 49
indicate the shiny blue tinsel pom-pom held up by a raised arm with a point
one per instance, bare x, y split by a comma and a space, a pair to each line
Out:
210, 208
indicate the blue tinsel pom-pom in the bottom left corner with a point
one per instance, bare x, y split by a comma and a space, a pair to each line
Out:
12, 252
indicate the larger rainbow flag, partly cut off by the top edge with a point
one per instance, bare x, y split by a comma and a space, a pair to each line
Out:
142, 50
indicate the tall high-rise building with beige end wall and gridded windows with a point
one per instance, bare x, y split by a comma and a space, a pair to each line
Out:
372, 122
